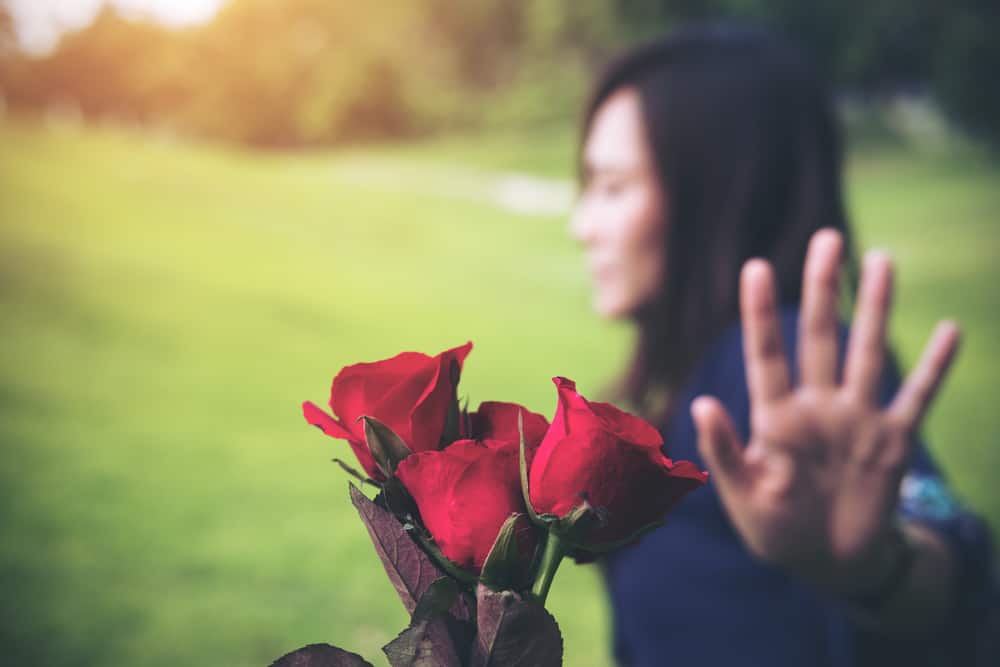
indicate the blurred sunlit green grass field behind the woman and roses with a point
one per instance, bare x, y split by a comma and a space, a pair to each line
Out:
165, 309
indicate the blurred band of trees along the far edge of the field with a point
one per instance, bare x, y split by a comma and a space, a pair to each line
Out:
297, 72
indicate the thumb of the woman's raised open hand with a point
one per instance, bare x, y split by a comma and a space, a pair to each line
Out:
719, 444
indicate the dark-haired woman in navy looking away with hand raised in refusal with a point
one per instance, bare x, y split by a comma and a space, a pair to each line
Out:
710, 170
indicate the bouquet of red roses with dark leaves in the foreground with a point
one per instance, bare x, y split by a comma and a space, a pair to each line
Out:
475, 510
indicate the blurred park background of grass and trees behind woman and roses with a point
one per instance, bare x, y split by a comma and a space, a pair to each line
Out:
208, 207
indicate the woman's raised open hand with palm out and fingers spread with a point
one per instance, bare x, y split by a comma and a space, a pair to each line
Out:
816, 487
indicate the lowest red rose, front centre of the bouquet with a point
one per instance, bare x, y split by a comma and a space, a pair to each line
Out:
464, 493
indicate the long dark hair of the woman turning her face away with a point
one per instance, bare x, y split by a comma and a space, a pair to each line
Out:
749, 155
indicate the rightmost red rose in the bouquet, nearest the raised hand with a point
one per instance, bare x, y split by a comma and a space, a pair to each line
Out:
594, 451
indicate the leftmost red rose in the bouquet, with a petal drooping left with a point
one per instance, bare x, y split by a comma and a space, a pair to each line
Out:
410, 393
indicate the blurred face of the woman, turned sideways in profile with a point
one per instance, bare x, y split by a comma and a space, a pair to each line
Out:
619, 217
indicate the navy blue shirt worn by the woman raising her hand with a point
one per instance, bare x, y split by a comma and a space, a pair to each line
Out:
690, 594
